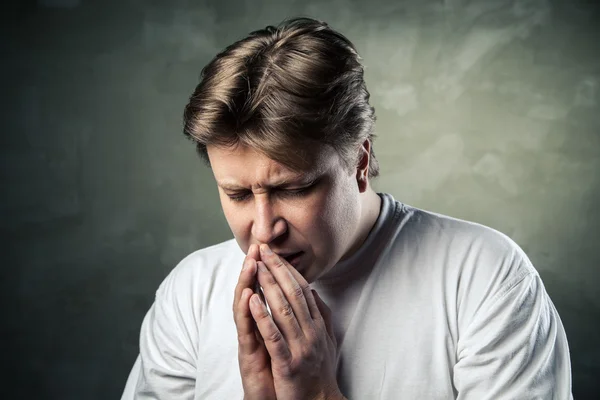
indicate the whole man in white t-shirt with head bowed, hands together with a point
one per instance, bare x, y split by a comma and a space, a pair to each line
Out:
368, 298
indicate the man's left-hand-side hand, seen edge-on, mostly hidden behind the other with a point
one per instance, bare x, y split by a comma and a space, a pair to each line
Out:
253, 358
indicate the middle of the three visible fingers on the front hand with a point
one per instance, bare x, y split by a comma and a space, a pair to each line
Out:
281, 310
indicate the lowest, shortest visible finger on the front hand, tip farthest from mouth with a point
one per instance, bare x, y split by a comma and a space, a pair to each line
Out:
272, 337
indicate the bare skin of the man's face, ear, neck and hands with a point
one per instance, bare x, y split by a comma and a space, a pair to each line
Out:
290, 354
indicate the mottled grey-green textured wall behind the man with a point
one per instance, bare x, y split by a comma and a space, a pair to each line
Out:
487, 110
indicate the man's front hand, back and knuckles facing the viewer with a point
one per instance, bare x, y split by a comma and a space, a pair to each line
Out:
299, 336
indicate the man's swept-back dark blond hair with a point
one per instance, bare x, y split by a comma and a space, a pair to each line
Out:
284, 91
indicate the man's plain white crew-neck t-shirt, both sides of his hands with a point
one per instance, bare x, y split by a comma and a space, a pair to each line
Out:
430, 307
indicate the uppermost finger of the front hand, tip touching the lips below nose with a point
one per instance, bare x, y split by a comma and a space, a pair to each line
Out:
294, 291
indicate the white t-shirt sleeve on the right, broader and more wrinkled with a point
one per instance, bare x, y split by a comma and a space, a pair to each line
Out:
515, 346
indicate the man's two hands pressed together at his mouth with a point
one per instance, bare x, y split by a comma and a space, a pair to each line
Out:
291, 354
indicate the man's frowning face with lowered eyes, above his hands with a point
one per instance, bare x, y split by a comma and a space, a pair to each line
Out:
313, 212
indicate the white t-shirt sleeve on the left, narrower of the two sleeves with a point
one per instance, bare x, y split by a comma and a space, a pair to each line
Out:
165, 367
